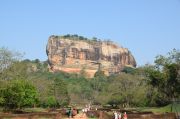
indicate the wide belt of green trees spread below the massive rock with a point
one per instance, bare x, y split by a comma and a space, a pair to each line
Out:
28, 83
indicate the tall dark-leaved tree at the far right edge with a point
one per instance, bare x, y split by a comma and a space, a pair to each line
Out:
165, 76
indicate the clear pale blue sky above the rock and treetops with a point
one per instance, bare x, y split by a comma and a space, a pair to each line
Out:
146, 27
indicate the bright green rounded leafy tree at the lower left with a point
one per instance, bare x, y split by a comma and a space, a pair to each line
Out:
18, 94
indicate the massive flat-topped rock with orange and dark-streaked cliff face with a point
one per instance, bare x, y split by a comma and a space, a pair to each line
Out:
72, 55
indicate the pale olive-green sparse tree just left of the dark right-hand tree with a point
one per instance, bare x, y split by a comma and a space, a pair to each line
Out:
127, 90
